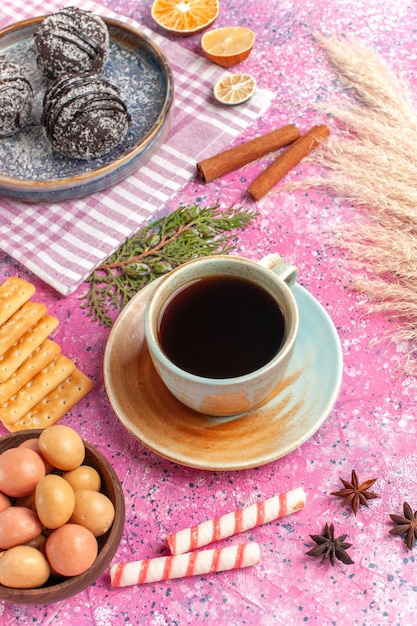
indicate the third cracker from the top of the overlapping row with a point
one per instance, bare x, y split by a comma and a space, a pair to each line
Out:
20, 351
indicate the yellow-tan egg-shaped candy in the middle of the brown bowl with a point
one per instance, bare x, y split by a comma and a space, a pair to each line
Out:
54, 500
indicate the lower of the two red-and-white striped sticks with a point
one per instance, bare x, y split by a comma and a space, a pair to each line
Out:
193, 564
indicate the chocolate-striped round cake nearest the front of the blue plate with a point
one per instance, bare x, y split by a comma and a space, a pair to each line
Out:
84, 116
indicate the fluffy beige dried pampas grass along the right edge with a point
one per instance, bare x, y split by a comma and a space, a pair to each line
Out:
371, 161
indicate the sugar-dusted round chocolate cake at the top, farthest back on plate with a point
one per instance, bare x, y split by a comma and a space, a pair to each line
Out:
71, 41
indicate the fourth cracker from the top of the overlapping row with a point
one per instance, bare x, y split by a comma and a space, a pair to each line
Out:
46, 352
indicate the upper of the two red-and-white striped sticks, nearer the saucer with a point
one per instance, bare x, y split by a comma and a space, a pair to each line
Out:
232, 523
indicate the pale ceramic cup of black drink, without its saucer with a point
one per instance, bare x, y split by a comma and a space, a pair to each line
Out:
221, 331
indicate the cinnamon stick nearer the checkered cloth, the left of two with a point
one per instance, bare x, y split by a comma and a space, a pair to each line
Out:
234, 158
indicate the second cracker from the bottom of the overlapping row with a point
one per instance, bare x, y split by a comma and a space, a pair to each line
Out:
36, 389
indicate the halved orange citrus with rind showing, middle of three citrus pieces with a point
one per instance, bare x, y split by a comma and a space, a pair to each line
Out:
228, 46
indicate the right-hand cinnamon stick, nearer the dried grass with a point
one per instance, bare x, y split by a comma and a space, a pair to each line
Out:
287, 160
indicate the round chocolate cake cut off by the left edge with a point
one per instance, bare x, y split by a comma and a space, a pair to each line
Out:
16, 98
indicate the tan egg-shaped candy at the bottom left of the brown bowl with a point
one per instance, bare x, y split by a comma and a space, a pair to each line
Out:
23, 567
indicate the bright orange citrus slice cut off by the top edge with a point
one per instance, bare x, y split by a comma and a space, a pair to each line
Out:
185, 17
